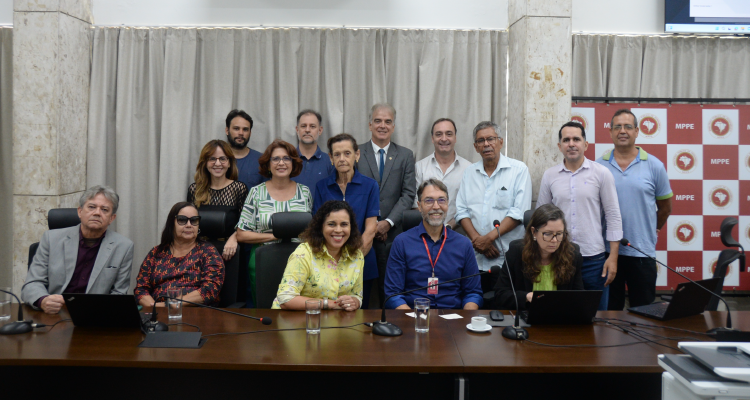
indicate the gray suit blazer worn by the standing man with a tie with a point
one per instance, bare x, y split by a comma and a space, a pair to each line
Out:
398, 188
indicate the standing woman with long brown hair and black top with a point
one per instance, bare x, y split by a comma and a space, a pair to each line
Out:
216, 187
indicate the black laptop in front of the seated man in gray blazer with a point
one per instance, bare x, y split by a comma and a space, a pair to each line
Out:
103, 310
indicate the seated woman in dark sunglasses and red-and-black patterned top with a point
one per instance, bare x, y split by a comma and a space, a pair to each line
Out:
181, 261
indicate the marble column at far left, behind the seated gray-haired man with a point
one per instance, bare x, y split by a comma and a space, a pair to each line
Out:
51, 71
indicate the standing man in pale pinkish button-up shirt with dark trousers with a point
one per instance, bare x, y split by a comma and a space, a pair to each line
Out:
584, 190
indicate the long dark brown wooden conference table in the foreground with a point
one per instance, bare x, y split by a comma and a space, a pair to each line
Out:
346, 359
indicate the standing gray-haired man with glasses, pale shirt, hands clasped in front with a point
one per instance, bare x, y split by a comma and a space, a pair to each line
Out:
496, 188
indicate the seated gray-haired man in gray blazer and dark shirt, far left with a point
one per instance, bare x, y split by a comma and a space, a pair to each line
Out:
86, 258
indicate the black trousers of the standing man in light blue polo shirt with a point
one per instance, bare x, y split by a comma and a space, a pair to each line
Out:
639, 273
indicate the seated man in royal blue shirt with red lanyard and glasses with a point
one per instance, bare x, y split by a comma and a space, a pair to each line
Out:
428, 254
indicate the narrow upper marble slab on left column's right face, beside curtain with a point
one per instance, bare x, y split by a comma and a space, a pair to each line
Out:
74, 57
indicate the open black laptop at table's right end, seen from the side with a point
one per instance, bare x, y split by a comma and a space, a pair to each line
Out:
688, 299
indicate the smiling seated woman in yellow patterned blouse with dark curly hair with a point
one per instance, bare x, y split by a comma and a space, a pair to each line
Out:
328, 265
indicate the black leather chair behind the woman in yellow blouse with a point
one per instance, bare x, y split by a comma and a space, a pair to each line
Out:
271, 259
